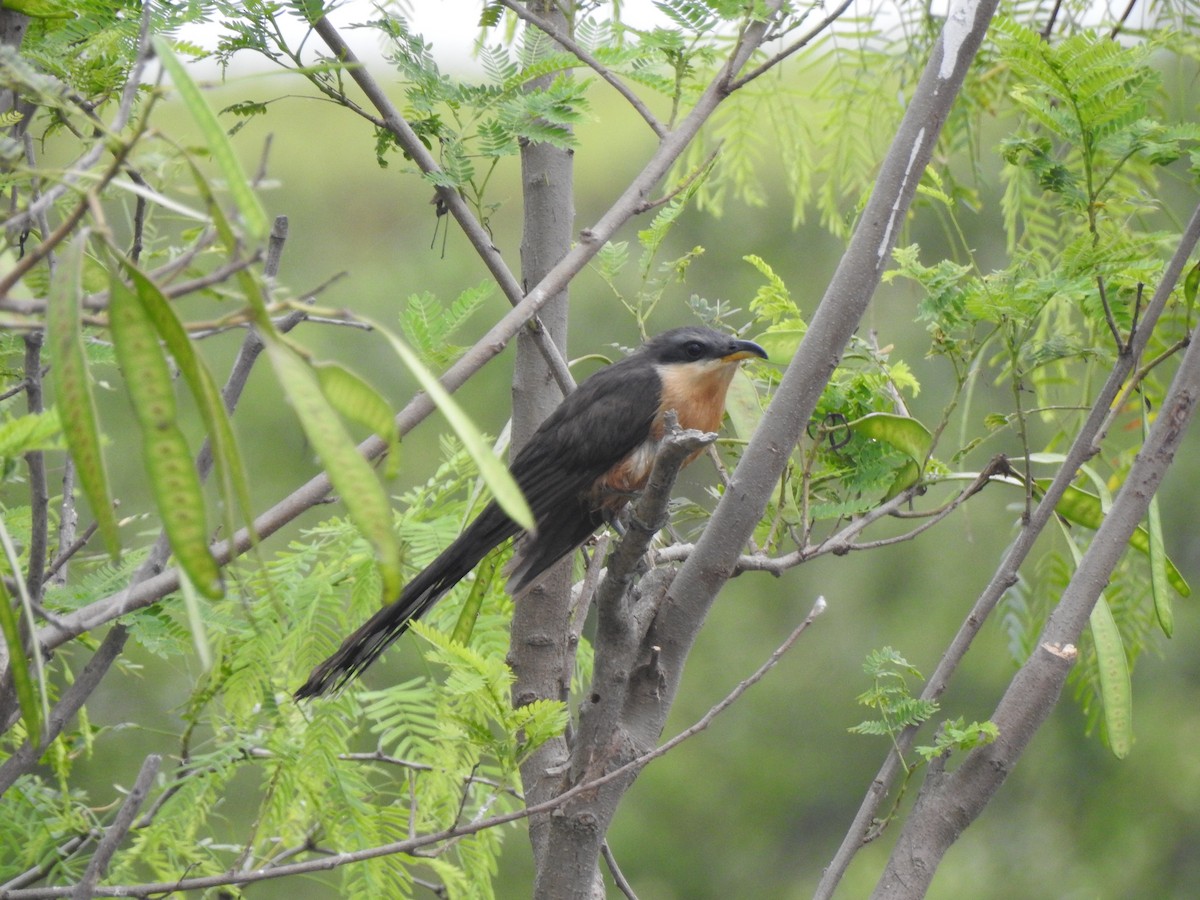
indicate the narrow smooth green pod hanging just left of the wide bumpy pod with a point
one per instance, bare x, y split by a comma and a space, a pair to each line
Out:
73, 383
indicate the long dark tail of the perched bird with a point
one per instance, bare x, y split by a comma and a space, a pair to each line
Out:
365, 646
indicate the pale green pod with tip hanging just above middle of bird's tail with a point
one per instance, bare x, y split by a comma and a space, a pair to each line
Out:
351, 475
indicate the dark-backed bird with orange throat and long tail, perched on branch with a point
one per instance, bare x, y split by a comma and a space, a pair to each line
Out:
578, 472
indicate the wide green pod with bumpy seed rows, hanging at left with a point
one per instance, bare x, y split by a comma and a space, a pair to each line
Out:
170, 463
